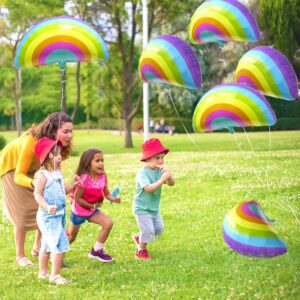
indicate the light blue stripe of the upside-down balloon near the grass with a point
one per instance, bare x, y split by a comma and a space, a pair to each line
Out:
253, 241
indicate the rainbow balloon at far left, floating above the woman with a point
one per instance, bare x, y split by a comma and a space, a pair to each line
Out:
59, 40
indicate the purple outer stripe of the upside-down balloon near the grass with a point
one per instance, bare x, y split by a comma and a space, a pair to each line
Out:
252, 250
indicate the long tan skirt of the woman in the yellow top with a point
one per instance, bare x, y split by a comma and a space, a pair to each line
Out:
19, 205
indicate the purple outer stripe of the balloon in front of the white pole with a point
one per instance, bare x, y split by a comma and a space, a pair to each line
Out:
188, 55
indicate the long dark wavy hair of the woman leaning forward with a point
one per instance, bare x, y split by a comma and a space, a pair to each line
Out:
49, 126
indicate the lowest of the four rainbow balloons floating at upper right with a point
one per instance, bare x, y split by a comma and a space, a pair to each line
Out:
232, 105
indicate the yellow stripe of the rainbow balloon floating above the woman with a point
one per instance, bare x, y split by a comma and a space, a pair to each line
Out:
41, 37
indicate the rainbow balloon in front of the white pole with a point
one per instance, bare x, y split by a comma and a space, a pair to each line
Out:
169, 60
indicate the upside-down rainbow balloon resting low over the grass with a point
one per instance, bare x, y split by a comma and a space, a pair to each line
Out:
248, 231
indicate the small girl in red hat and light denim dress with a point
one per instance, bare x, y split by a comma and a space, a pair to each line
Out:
49, 192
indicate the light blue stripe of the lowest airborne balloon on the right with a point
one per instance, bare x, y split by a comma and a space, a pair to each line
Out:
259, 102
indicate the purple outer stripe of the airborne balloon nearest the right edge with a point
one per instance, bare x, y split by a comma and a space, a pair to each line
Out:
284, 66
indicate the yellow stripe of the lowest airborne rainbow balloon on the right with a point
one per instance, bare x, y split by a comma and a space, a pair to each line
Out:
227, 98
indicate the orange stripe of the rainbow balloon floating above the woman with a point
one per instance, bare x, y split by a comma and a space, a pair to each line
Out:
60, 38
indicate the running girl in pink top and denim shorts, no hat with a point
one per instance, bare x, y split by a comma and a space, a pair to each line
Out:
88, 197
